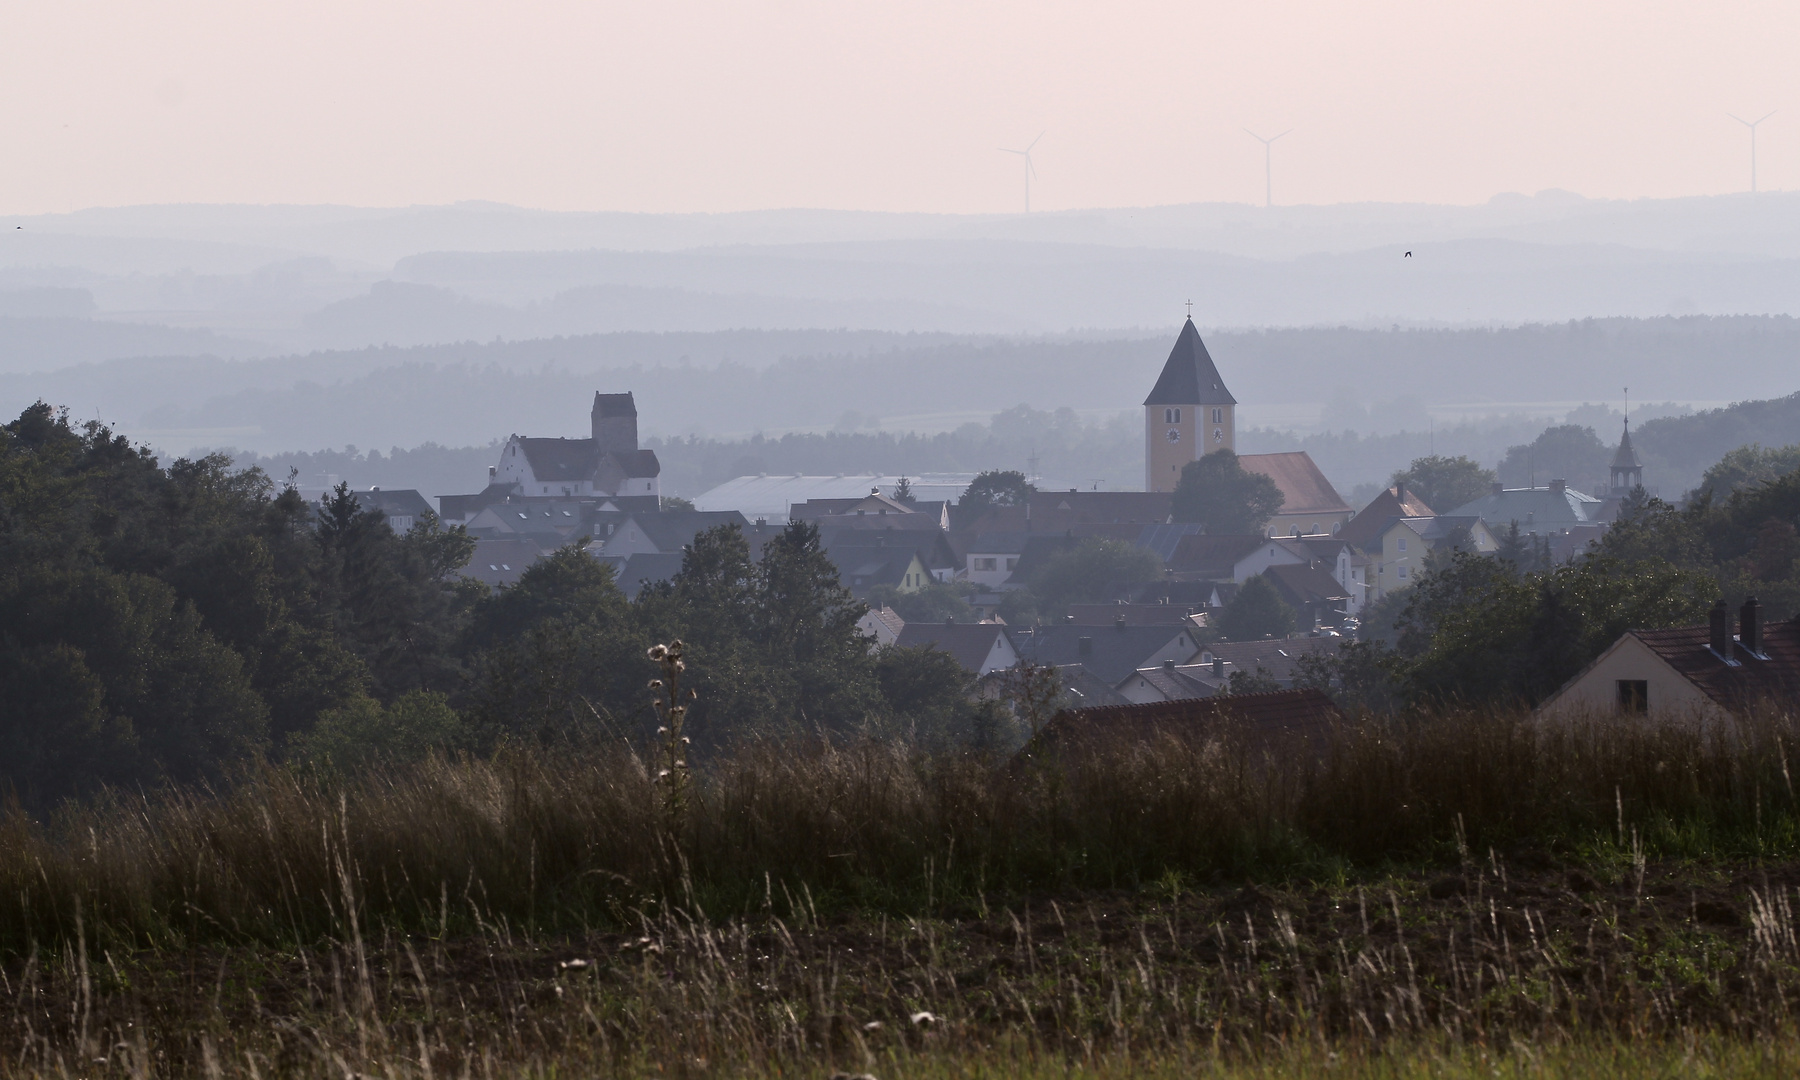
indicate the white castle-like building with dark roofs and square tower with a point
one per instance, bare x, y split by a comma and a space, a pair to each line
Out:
606, 463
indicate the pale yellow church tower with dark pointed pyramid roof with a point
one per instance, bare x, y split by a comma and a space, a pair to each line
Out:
1187, 415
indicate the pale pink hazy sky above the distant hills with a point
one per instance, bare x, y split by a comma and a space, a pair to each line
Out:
895, 107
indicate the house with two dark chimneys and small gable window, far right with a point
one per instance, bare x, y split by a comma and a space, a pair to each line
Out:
1689, 672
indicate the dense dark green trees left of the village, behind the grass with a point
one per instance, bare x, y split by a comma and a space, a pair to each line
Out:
174, 625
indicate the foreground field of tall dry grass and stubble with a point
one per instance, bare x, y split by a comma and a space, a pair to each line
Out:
1450, 897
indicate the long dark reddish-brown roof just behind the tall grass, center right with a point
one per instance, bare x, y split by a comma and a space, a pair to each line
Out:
1288, 719
